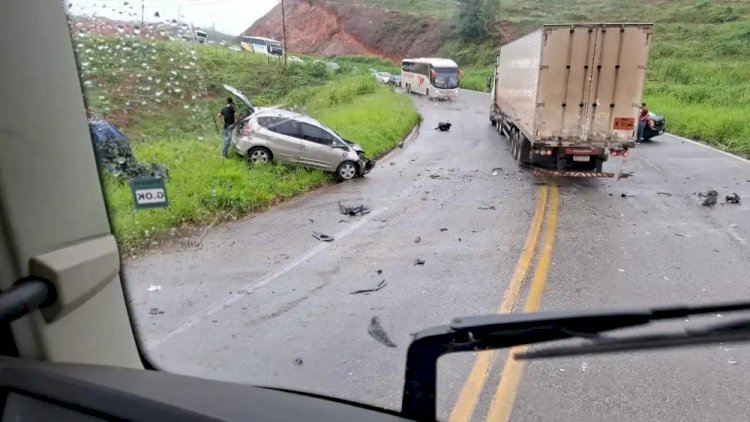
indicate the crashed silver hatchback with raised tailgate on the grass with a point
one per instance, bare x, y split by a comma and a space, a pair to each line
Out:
273, 134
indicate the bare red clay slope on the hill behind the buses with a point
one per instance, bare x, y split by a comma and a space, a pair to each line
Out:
328, 28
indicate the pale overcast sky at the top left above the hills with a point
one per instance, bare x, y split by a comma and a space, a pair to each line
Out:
229, 16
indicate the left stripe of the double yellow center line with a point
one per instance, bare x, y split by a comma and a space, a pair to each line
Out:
467, 399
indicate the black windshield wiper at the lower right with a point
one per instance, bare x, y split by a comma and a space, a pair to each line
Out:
500, 331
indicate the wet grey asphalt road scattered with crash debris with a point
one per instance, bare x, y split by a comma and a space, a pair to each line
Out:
261, 301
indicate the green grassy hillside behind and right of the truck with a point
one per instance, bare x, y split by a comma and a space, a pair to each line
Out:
699, 72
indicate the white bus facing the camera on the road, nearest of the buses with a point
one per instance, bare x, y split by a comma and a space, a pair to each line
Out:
435, 78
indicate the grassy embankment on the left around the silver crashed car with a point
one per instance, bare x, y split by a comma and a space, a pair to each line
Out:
164, 96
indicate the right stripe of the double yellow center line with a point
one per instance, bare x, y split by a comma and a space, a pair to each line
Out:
502, 405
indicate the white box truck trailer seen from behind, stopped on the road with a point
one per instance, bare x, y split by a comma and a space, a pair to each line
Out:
568, 96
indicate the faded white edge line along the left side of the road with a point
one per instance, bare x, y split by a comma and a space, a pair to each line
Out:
151, 344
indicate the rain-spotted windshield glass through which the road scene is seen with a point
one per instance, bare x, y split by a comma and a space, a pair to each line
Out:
277, 260
